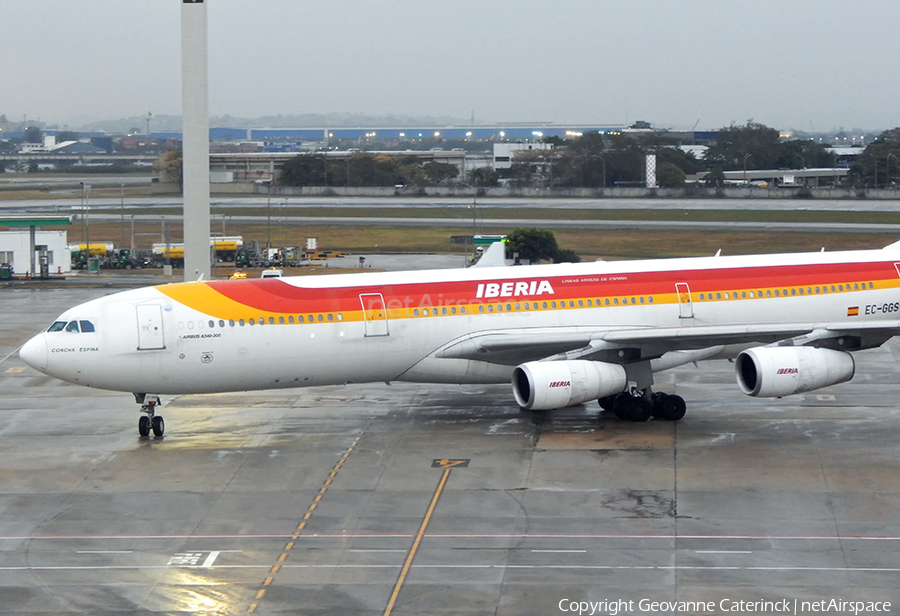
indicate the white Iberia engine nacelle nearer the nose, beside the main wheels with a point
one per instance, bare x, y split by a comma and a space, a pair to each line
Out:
547, 385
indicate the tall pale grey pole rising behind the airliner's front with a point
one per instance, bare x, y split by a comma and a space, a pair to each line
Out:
195, 130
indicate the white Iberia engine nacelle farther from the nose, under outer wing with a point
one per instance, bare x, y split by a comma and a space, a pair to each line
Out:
772, 372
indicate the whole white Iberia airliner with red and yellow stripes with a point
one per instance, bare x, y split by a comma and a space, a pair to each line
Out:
561, 334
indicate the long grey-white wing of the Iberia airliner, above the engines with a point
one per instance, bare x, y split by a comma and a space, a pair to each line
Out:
622, 344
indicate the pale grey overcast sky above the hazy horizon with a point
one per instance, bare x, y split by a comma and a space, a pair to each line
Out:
803, 64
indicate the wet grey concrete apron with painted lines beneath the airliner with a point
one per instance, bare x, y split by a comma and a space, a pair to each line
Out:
426, 499
